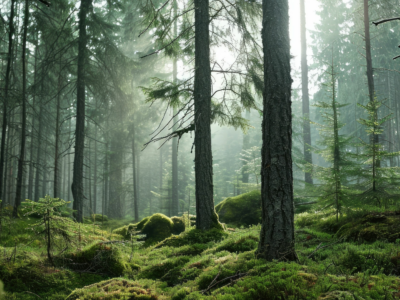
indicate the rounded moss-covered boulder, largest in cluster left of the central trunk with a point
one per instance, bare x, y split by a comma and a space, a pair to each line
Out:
157, 228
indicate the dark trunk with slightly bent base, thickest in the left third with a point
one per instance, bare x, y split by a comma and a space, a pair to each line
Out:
77, 179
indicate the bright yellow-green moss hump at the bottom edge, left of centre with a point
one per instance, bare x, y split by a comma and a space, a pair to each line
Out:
112, 289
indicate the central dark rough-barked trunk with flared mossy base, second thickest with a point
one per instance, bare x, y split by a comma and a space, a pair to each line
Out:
207, 218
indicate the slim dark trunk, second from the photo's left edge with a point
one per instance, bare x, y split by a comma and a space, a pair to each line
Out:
21, 158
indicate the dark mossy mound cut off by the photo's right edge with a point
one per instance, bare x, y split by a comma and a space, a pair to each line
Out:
372, 227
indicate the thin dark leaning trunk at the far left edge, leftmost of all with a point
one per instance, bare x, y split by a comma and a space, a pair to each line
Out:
5, 100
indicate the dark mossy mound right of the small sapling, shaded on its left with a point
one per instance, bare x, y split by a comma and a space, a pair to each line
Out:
99, 258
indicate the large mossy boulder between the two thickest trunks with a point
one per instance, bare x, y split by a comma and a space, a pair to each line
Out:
242, 210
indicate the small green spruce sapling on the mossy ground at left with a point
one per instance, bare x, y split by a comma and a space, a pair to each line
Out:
51, 223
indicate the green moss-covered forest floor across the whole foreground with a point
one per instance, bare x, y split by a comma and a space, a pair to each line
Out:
334, 262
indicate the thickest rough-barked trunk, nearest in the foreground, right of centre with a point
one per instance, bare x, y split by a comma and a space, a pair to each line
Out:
277, 231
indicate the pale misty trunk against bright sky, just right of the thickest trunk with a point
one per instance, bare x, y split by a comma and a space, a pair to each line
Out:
306, 97
